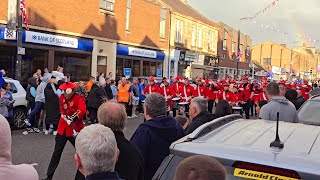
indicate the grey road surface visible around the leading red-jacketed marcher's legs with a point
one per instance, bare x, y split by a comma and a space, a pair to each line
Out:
38, 149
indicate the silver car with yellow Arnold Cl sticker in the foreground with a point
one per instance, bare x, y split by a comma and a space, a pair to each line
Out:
243, 148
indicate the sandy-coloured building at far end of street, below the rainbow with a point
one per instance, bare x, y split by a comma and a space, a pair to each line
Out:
286, 62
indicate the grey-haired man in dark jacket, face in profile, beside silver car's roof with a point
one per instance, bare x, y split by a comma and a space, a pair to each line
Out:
199, 114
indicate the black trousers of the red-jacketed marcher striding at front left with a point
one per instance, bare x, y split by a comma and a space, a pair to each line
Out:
55, 159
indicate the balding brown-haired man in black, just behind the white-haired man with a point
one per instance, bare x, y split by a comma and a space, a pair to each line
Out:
130, 162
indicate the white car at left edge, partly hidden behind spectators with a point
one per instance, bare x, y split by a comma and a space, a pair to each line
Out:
20, 105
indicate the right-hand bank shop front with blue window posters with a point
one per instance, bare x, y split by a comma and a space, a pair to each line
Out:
139, 62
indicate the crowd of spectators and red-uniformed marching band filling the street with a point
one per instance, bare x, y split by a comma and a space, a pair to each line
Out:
172, 109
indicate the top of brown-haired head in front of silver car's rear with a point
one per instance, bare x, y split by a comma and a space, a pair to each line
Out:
200, 167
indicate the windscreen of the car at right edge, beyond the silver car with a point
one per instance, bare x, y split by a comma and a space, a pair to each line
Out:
309, 112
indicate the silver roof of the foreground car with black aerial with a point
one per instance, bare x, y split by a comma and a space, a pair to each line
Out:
249, 141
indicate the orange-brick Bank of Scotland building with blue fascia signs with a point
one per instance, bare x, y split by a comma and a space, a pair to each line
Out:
89, 37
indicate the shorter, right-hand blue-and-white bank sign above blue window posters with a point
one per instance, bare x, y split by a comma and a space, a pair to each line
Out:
139, 52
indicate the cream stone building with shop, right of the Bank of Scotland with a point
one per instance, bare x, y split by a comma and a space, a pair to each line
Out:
193, 38
